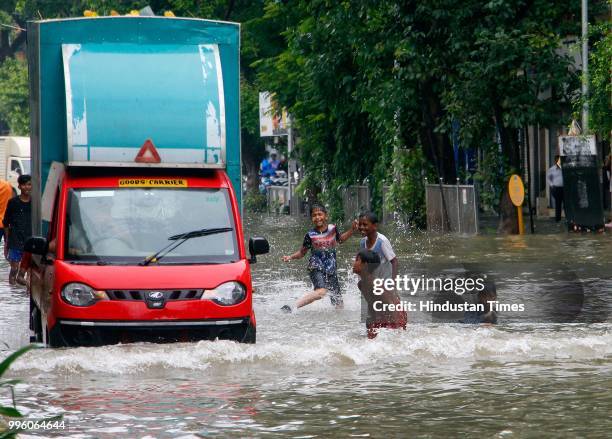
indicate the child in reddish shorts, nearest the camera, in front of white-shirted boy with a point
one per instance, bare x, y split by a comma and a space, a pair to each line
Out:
367, 265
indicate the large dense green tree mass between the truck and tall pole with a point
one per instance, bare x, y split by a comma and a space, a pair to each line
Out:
367, 80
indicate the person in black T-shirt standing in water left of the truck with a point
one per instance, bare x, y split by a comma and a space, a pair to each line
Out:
18, 227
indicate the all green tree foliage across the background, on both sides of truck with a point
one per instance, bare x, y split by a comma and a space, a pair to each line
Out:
380, 92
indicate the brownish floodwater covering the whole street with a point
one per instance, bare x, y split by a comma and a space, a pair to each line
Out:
315, 374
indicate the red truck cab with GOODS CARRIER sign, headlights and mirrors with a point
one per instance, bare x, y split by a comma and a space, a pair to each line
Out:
151, 256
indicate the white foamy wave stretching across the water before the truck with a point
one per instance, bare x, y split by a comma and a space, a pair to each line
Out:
420, 344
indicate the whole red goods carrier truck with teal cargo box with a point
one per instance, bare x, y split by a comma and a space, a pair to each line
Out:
136, 188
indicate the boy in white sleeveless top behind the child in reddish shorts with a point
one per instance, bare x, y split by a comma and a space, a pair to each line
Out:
379, 244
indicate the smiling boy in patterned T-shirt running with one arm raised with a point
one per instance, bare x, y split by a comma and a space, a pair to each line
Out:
322, 240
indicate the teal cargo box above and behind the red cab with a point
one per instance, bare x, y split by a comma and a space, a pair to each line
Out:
100, 87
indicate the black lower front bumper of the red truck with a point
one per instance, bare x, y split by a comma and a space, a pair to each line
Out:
103, 332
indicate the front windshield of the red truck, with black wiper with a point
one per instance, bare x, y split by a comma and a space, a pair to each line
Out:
128, 224
